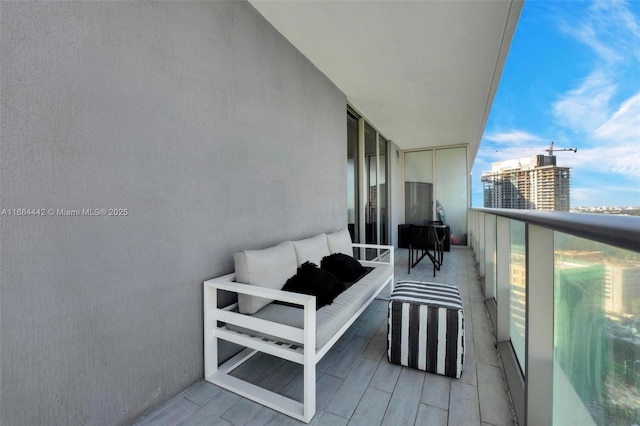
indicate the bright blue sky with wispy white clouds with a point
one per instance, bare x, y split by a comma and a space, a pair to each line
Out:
572, 76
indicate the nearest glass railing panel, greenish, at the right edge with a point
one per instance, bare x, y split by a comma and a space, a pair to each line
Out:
596, 332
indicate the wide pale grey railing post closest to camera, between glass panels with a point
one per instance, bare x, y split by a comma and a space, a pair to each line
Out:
539, 334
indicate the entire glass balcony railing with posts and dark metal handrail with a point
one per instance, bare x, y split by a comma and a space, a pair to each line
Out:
565, 291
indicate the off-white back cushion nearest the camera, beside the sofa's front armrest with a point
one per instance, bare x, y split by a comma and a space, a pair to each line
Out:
270, 267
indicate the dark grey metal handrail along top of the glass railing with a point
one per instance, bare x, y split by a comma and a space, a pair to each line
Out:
615, 230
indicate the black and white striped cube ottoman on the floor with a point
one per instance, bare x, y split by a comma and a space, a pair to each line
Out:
426, 327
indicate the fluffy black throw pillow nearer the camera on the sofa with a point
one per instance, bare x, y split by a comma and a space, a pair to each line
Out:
312, 280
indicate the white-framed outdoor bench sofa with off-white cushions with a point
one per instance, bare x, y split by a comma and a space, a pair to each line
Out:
299, 335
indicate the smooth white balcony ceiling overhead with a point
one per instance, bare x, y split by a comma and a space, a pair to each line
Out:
423, 72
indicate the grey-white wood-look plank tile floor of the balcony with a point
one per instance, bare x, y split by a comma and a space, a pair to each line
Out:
356, 384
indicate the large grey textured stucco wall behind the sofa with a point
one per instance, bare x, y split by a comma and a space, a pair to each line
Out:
199, 119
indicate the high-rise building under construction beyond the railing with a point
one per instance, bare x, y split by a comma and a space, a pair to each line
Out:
533, 183
